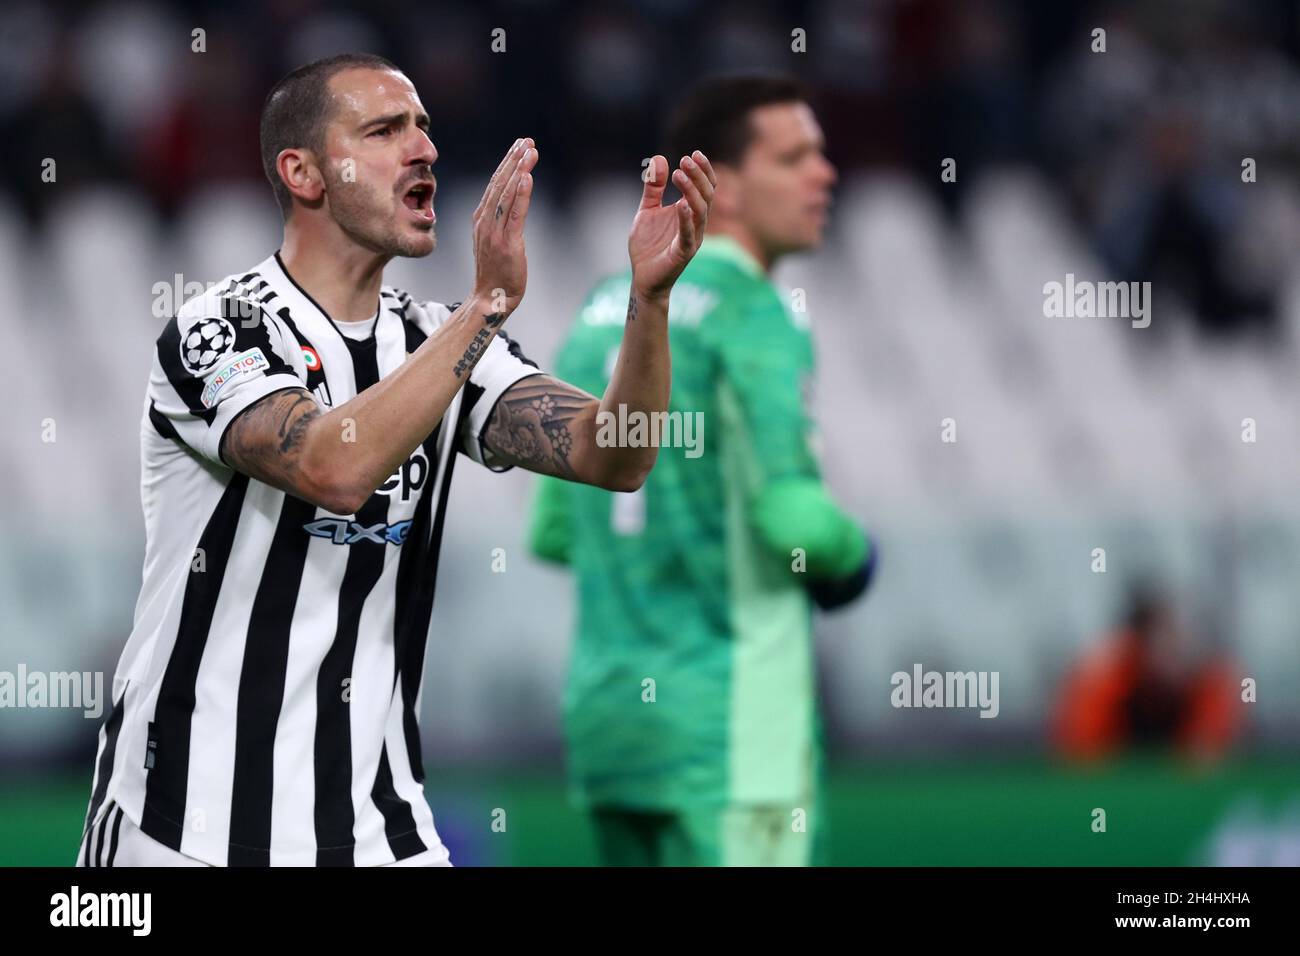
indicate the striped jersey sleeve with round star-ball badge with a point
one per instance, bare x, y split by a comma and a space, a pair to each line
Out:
211, 364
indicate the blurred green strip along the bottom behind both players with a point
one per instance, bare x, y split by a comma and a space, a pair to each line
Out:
1028, 814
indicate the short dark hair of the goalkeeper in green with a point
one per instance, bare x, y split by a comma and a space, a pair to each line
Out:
714, 116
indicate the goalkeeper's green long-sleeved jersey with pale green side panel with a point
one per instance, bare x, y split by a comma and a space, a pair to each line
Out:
692, 676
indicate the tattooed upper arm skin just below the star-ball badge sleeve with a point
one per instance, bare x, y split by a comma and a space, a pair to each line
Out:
266, 439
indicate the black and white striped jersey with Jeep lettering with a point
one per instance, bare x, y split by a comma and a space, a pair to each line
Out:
265, 708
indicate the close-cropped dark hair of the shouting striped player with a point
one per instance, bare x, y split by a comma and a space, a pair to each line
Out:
297, 111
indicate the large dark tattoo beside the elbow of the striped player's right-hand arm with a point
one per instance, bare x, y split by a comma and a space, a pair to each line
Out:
531, 425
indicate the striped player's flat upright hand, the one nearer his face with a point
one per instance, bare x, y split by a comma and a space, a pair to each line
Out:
501, 266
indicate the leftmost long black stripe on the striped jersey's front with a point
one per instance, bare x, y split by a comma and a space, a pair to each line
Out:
170, 733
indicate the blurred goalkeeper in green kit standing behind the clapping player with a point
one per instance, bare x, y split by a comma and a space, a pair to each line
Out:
691, 717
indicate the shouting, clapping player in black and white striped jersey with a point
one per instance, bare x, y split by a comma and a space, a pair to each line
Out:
301, 427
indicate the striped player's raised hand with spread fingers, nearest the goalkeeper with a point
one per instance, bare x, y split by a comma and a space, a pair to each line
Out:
666, 237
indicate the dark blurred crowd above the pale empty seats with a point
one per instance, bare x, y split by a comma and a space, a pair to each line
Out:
1146, 140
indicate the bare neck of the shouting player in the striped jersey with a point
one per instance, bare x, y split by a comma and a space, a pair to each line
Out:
343, 278
